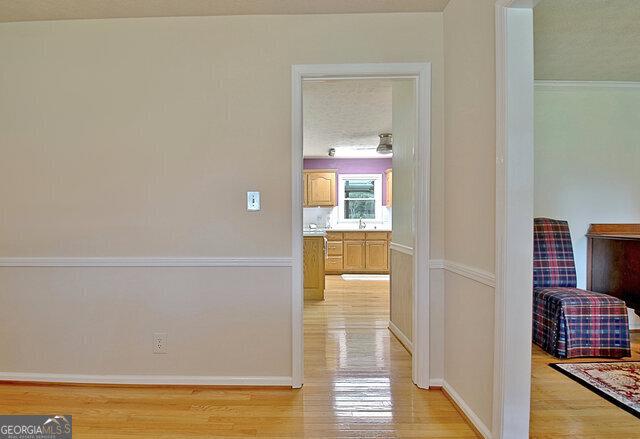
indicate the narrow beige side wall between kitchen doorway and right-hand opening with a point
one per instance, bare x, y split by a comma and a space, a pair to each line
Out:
470, 147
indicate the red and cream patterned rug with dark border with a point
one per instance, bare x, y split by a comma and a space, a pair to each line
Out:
616, 381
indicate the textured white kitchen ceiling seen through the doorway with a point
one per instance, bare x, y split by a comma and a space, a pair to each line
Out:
344, 112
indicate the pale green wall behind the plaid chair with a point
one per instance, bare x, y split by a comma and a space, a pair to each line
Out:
587, 159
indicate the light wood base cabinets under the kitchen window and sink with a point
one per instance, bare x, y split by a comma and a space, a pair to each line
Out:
357, 252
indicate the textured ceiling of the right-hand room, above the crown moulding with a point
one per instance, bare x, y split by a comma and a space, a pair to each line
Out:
587, 40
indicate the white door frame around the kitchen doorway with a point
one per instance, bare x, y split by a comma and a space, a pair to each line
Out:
422, 73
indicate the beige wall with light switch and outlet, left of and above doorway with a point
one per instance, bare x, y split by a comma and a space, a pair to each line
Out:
140, 137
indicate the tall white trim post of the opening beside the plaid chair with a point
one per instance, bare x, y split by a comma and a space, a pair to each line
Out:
514, 218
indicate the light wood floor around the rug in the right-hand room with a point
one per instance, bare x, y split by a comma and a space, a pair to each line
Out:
562, 408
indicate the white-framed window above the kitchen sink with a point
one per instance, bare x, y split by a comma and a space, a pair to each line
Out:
360, 197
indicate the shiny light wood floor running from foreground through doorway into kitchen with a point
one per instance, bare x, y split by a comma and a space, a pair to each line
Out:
357, 385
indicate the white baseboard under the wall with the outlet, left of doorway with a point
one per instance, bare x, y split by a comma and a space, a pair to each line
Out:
157, 380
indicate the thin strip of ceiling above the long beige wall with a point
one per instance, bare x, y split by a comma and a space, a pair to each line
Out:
32, 10
